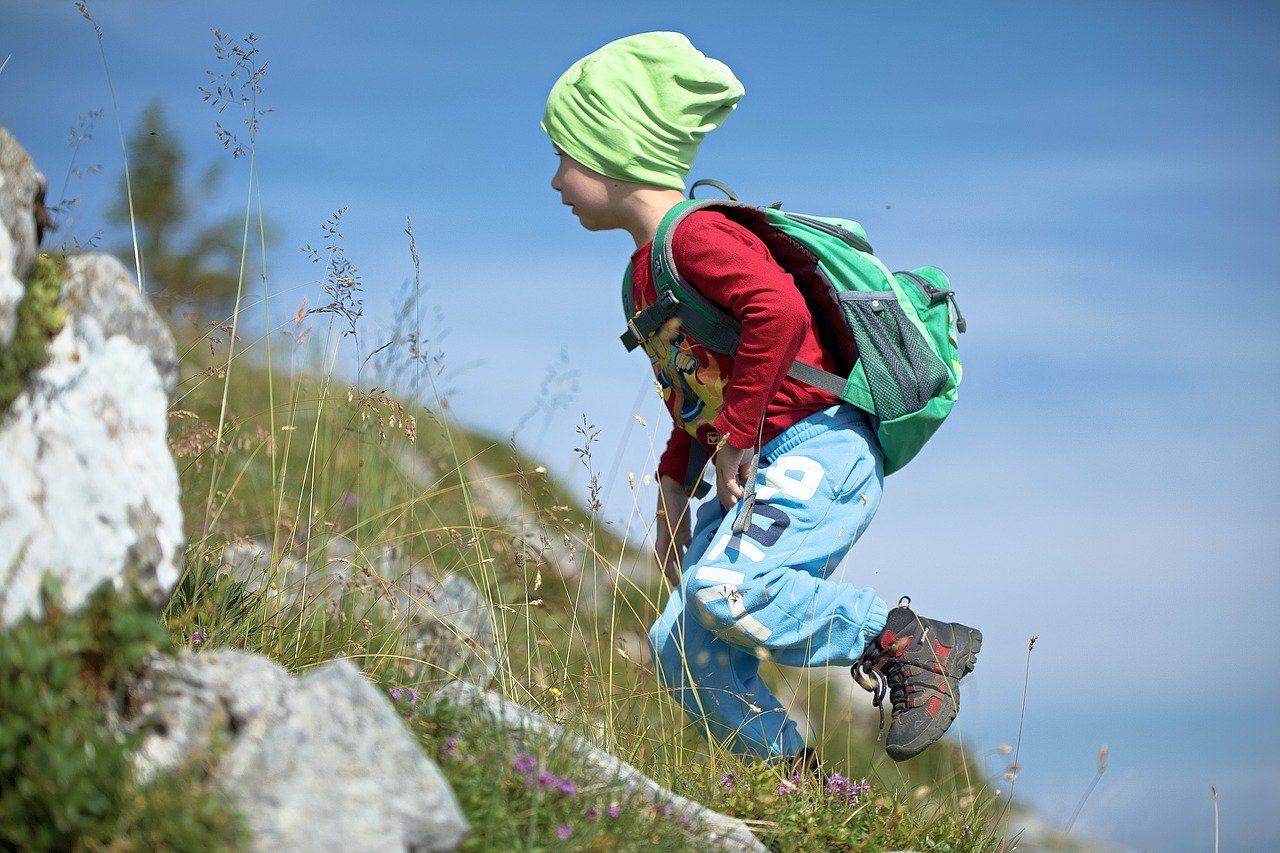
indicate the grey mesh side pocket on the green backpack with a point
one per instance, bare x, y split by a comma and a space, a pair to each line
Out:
902, 371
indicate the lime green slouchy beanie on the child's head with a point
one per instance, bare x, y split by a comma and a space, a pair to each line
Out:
638, 108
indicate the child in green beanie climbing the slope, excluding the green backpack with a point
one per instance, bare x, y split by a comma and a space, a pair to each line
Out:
627, 122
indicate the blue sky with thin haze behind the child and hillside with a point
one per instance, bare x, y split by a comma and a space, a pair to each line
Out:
1101, 181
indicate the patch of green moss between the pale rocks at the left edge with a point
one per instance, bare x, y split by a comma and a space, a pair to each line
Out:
40, 318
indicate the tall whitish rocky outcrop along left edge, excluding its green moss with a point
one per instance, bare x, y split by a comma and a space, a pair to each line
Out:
89, 492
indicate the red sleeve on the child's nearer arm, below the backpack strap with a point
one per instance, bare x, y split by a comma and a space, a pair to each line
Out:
732, 267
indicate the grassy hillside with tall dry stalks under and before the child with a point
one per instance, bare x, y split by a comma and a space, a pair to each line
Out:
292, 459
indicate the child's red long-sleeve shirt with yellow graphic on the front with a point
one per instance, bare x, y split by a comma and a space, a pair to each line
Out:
730, 266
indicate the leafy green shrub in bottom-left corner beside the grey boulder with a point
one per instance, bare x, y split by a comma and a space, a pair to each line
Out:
67, 779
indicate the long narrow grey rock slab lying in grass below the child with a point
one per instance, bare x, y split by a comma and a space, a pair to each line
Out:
528, 731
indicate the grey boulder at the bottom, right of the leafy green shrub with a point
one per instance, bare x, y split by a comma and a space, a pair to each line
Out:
321, 763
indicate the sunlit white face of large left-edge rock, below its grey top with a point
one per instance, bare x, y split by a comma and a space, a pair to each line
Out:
90, 490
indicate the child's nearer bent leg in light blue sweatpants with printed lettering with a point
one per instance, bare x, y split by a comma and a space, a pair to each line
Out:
766, 591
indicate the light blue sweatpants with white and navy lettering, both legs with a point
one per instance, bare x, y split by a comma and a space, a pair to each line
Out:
766, 594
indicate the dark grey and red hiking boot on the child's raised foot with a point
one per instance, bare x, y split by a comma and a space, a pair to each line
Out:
920, 663
